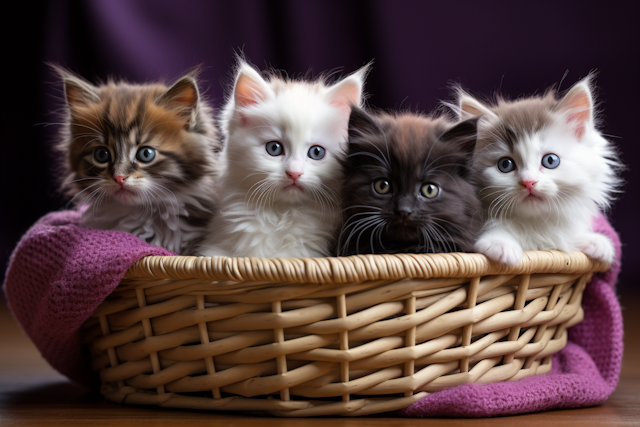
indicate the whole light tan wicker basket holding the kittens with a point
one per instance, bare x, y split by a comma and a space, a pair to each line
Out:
330, 336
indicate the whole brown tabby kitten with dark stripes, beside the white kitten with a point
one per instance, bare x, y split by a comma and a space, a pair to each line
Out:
140, 158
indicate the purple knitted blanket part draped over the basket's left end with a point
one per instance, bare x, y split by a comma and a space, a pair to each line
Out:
59, 273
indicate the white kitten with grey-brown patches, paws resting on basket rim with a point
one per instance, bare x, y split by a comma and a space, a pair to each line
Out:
544, 171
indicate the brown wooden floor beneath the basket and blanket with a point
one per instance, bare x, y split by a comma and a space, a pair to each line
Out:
32, 393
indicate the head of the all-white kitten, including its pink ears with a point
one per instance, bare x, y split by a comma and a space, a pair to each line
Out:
286, 138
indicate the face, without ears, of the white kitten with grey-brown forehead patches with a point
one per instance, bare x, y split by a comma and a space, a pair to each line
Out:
533, 159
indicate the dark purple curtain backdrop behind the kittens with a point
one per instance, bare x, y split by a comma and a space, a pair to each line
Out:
420, 48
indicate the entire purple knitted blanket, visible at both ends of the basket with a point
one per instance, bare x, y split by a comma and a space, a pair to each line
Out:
60, 272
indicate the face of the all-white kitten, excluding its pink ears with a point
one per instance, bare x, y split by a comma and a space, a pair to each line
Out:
286, 149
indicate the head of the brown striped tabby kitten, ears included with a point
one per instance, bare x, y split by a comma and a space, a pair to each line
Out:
134, 144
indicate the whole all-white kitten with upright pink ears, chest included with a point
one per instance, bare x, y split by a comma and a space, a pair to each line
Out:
284, 142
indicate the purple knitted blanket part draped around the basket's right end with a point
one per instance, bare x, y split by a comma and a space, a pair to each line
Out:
584, 373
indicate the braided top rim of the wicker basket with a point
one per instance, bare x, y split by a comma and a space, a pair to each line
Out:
357, 268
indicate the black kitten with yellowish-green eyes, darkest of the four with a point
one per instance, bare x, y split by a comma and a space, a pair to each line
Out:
409, 188
